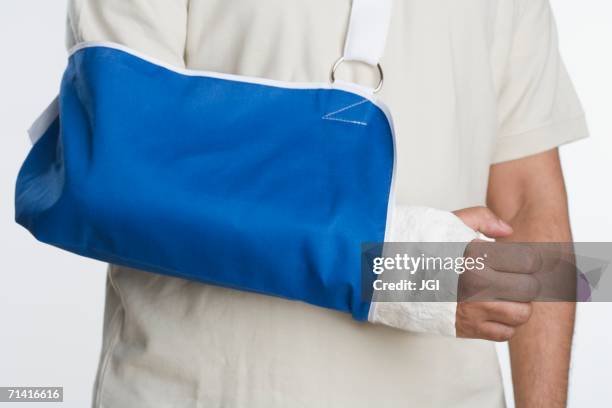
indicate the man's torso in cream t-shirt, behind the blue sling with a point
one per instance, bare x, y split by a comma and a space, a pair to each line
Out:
170, 342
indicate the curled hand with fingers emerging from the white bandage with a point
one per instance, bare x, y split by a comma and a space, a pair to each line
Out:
494, 301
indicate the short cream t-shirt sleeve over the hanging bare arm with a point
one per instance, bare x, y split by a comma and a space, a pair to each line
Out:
537, 105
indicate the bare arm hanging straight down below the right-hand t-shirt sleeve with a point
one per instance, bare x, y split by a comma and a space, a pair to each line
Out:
530, 194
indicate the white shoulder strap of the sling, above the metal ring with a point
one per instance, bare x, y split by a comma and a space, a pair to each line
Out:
367, 32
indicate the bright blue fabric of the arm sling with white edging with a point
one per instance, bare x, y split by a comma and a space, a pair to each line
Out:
250, 186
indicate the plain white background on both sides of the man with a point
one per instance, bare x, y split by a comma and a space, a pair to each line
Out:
51, 302
